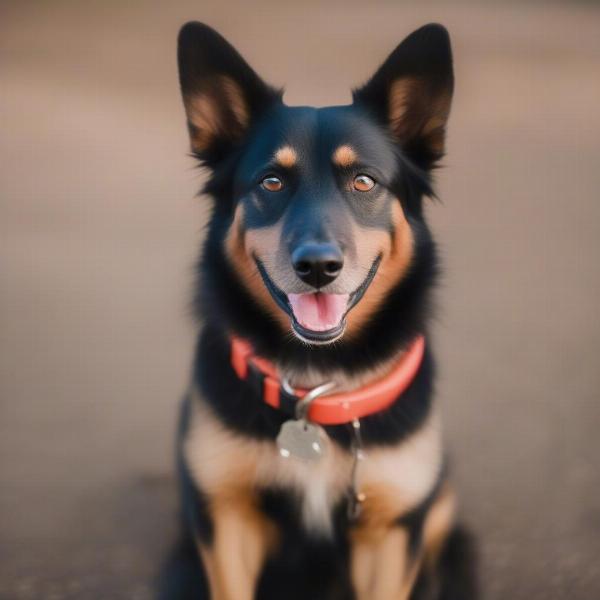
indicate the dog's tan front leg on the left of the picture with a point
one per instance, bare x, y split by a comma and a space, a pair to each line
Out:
241, 540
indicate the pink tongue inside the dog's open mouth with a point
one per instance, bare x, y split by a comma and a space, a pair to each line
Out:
319, 311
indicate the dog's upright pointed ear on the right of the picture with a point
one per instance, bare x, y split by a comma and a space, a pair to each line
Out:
412, 91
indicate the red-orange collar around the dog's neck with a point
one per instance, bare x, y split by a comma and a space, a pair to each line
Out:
334, 409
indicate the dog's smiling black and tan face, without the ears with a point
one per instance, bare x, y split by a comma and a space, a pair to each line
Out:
316, 217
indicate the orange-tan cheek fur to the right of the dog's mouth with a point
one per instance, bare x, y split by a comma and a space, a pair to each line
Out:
394, 265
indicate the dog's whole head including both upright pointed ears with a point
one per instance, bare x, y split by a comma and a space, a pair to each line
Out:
321, 227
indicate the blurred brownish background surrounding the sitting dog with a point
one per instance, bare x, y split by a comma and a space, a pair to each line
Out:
99, 228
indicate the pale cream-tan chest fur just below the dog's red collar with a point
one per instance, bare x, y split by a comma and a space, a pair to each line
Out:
225, 464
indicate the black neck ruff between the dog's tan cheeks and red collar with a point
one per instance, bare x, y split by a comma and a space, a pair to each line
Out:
223, 300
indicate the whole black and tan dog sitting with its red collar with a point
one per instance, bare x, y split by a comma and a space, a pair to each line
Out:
317, 268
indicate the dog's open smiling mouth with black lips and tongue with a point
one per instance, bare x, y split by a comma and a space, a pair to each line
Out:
318, 317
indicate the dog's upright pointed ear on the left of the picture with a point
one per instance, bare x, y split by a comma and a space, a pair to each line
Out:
221, 93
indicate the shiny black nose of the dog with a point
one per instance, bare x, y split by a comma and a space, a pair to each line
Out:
317, 264
